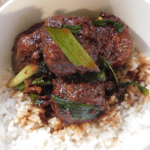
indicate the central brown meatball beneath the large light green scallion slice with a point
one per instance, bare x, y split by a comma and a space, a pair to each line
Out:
57, 62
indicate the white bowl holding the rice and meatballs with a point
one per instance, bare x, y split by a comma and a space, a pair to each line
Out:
18, 15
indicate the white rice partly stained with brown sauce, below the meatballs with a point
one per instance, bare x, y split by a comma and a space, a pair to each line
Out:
126, 128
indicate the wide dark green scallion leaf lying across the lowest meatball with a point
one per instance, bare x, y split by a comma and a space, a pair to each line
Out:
77, 110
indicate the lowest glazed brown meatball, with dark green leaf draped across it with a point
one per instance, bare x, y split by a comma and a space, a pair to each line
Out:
77, 91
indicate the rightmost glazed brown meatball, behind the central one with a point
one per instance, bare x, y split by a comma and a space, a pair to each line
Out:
116, 47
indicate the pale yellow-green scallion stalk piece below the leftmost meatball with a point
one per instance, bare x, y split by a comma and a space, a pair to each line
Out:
24, 74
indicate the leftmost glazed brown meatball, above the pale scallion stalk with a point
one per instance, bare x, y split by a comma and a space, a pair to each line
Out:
27, 47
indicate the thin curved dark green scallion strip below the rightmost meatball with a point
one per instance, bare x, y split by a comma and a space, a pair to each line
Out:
103, 63
